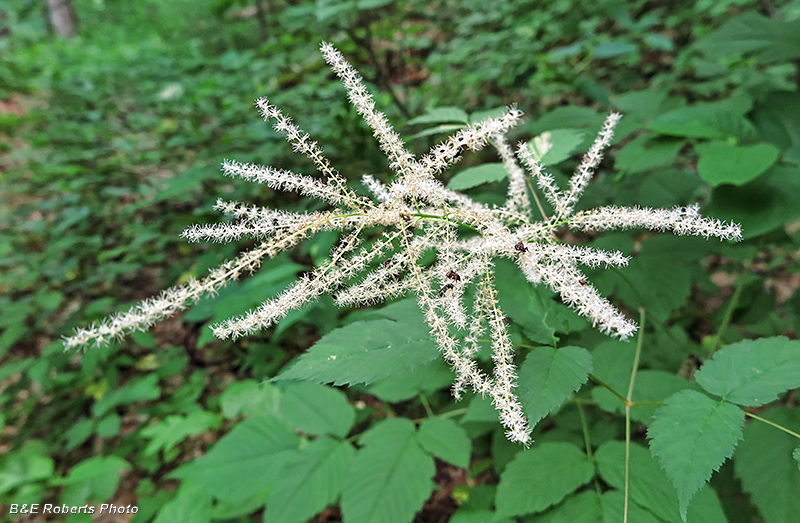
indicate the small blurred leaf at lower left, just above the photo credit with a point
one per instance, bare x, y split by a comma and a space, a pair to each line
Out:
95, 479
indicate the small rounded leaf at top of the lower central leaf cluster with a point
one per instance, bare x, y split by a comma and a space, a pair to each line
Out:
316, 409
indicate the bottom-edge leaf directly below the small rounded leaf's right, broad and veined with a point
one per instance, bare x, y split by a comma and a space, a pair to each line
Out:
390, 478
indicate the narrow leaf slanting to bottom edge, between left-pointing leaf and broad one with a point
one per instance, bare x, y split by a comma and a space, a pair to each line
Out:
311, 479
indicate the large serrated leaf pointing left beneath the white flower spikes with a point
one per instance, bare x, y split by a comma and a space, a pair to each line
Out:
364, 352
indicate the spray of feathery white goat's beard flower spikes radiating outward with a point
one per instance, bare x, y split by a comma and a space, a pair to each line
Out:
416, 213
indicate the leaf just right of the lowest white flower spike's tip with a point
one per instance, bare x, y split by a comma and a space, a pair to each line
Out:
549, 377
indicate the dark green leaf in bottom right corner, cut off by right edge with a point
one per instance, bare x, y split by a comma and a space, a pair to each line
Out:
764, 464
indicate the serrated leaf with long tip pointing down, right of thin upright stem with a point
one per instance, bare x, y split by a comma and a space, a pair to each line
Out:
692, 435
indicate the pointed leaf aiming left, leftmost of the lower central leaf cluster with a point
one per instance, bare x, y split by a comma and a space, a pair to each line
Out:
245, 462
